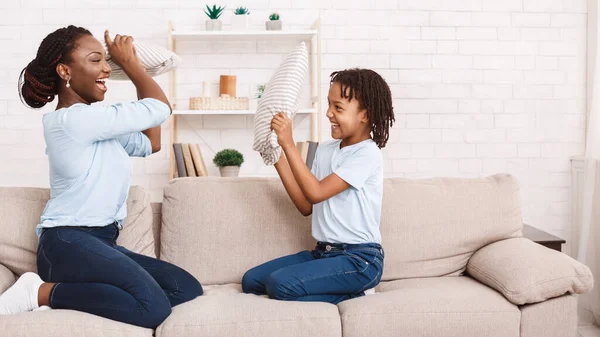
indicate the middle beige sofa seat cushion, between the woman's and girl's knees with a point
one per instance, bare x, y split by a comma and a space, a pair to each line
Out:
224, 311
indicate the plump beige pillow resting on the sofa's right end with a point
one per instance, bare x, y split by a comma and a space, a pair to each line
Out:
526, 272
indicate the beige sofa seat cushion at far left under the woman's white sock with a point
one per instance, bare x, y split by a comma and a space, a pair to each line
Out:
60, 323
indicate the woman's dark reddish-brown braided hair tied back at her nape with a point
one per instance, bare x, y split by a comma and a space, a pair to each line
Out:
38, 82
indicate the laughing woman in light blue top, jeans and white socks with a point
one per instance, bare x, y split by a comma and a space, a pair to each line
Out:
88, 146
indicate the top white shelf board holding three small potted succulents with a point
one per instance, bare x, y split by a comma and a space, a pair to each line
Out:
243, 35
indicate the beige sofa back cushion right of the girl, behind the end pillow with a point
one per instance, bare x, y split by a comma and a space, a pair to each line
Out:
431, 227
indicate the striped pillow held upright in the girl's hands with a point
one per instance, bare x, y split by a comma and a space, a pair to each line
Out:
281, 94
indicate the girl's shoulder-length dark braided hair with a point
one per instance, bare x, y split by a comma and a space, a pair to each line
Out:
373, 94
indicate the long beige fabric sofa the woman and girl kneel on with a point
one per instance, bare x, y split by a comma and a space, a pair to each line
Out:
455, 263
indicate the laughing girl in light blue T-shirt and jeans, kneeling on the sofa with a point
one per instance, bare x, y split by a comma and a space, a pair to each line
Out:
343, 191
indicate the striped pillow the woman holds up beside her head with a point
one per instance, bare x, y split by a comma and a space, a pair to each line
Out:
156, 59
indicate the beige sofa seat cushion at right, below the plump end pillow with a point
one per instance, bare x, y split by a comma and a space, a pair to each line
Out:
431, 307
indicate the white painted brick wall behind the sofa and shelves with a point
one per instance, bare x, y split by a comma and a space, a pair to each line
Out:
479, 86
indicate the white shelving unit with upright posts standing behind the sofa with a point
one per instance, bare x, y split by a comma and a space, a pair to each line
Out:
312, 35
